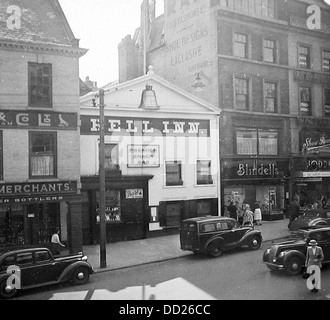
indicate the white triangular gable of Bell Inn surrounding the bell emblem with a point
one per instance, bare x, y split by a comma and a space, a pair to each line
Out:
126, 96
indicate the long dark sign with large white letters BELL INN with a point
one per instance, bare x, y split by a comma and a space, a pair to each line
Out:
146, 127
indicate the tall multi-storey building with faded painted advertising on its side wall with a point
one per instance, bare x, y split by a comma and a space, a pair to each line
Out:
268, 72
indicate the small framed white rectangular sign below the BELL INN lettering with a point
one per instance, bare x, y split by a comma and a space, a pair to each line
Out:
139, 156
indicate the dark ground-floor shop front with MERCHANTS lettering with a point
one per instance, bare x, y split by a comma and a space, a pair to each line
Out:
30, 213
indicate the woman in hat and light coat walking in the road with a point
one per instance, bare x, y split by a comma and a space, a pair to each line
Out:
314, 256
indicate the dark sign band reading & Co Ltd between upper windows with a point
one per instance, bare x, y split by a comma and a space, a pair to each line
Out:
41, 120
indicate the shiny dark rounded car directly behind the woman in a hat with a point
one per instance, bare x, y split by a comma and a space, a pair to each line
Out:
290, 254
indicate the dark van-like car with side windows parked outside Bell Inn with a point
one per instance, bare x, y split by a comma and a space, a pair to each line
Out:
213, 235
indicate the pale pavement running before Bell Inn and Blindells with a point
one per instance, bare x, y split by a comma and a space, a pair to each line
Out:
127, 254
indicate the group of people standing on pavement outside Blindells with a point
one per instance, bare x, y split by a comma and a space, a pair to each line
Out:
246, 215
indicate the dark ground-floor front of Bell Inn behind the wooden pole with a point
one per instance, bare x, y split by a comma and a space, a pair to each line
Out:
126, 208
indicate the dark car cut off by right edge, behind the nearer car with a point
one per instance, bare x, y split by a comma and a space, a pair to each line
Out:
311, 217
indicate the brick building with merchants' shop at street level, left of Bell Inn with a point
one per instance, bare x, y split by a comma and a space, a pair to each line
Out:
39, 125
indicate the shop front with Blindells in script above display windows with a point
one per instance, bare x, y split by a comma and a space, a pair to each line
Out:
248, 180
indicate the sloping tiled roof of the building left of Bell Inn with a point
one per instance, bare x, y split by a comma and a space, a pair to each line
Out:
41, 22
